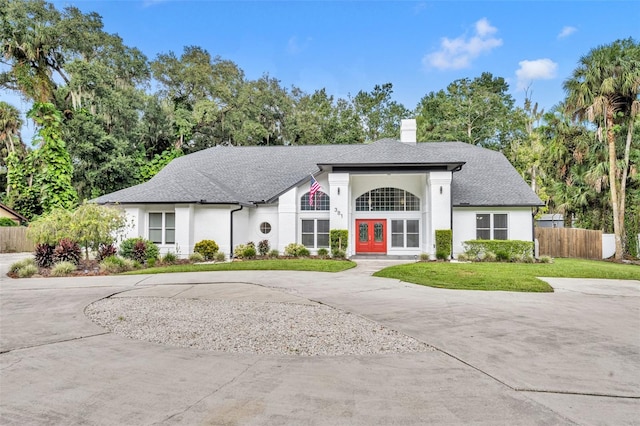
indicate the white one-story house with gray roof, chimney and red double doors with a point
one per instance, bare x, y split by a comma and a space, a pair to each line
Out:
390, 195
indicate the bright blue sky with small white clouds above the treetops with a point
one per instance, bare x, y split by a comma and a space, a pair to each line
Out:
347, 46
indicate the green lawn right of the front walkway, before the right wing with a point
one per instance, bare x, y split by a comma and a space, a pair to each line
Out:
505, 276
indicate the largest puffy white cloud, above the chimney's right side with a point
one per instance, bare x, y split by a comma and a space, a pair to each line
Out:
458, 53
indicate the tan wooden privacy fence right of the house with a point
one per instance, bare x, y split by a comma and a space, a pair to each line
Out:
569, 242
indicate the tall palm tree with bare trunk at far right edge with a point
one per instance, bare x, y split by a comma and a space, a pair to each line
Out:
604, 89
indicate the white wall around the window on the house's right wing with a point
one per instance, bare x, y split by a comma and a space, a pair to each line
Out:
520, 224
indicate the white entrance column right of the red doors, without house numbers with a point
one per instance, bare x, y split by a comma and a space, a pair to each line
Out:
439, 194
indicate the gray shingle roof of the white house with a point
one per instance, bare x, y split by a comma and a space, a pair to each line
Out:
227, 175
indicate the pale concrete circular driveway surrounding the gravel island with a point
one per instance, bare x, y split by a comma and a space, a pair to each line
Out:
569, 357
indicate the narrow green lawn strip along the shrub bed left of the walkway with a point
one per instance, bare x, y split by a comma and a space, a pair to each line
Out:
317, 265
